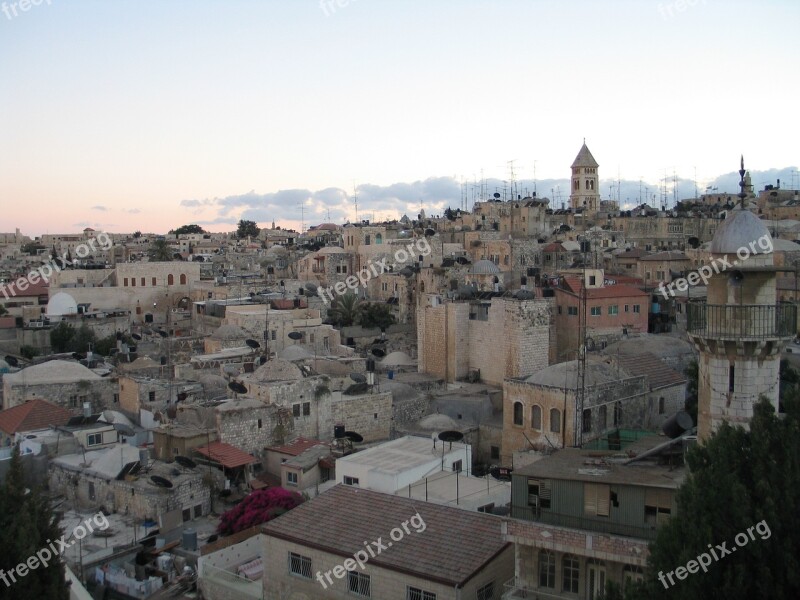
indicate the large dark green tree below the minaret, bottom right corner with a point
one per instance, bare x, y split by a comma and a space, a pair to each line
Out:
737, 480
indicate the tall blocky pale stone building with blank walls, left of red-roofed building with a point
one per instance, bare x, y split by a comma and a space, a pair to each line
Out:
453, 337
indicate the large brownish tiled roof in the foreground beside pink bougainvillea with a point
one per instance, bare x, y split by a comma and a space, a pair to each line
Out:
454, 545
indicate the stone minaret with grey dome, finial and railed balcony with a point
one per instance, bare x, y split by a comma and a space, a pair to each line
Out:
740, 329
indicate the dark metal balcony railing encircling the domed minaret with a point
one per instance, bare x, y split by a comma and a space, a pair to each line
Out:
747, 321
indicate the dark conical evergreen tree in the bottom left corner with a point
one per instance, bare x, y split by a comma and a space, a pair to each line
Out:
27, 525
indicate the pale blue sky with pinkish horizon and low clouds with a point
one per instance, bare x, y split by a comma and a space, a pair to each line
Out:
143, 115
